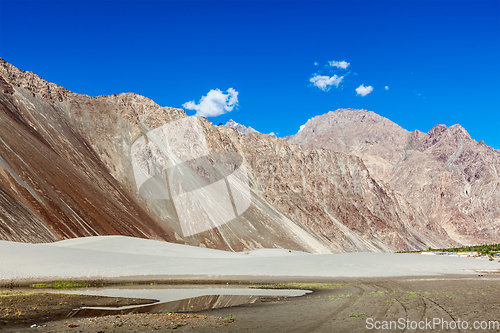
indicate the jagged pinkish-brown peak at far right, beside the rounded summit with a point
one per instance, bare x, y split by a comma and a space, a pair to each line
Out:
455, 181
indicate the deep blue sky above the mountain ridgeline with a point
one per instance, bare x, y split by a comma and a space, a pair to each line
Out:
439, 59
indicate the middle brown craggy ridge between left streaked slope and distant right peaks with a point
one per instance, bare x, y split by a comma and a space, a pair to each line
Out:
332, 195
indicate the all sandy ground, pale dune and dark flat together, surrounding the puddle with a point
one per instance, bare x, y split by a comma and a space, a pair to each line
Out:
350, 290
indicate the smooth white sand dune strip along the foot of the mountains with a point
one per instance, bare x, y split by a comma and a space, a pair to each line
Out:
119, 256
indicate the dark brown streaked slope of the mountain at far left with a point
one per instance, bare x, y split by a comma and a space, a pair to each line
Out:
48, 169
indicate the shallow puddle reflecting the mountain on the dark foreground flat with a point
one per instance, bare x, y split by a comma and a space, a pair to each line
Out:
189, 299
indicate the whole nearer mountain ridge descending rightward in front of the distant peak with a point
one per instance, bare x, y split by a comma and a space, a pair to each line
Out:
66, 170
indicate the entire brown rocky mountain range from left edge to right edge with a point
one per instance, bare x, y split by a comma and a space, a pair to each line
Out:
349, 181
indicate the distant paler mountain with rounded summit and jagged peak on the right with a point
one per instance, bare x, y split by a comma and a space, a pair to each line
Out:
450, 178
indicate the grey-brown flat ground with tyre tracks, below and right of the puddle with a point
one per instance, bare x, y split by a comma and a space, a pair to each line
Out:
336, 305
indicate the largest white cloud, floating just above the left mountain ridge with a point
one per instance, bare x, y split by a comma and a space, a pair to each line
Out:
214, 103
